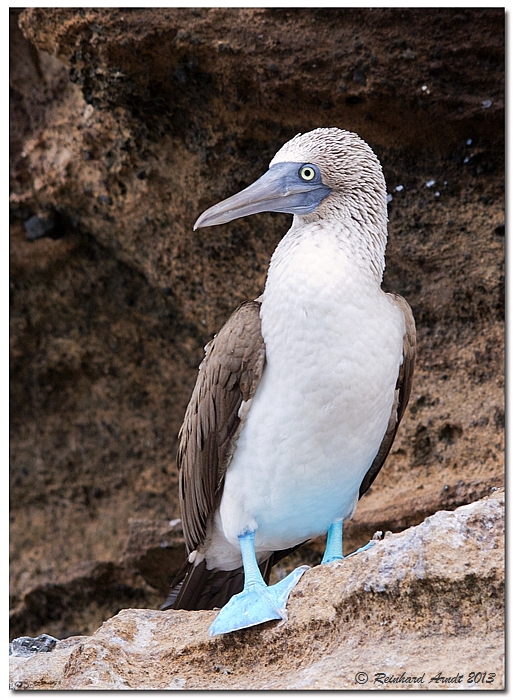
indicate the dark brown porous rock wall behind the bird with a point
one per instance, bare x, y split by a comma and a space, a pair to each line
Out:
125, 125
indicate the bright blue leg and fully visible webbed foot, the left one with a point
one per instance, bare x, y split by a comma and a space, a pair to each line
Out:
257, 602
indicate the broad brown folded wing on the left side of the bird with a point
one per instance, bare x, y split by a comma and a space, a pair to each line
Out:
228, 375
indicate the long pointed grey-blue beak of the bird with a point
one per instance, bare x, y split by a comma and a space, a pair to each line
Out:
280, 189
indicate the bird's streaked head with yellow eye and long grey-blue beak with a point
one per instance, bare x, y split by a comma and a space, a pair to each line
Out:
313, 172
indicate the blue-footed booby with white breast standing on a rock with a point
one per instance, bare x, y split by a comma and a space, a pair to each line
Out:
300, 394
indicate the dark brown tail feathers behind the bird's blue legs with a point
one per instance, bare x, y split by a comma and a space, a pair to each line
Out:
197, 588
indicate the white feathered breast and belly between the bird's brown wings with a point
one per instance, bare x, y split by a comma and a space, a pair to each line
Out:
333, 348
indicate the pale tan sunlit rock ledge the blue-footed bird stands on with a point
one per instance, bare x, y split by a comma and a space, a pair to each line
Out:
426, 604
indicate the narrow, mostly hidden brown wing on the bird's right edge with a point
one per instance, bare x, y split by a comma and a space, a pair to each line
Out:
402, 392
